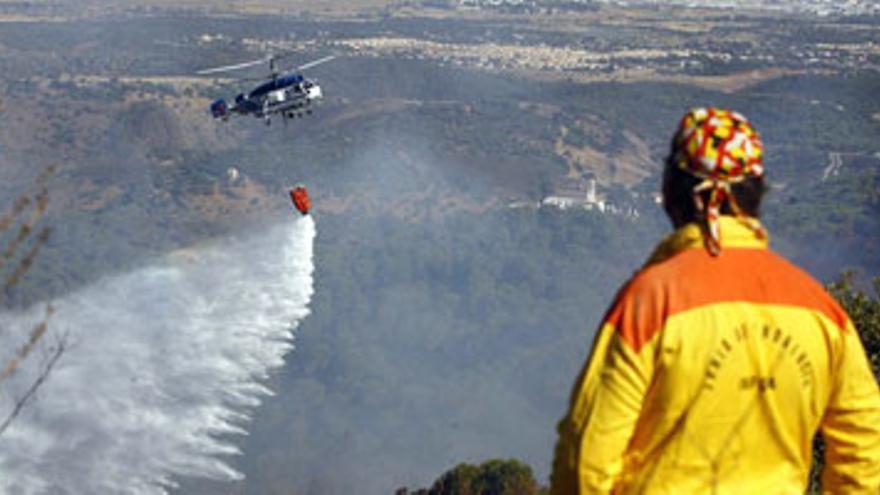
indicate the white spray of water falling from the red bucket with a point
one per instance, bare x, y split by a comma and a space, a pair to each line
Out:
164, 364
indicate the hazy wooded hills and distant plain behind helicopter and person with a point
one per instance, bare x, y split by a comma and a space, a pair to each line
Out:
450, 312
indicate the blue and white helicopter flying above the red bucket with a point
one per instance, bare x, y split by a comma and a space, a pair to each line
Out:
286, 93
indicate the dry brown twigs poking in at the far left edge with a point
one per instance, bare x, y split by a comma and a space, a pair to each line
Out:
21, 240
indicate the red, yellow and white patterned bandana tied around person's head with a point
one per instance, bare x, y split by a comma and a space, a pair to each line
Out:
722, 148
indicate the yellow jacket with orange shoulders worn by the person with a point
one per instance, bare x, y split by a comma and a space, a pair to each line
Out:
710, 375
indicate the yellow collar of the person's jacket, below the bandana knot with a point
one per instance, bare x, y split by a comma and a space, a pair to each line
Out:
735, 233
